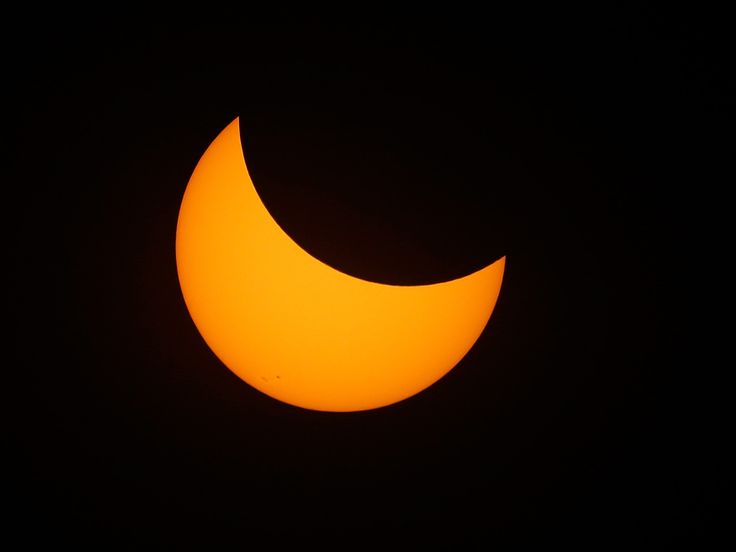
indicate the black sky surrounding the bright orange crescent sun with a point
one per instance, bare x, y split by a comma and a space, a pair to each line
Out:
401, 149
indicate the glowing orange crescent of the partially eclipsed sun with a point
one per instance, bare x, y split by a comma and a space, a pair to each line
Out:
297, 329
